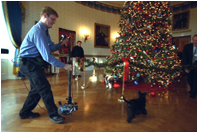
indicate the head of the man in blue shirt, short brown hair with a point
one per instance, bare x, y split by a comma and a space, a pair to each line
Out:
48, 16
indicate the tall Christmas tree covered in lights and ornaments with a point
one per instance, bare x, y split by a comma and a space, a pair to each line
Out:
144, 44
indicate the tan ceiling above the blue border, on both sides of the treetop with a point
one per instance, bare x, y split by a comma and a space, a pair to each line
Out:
120, 3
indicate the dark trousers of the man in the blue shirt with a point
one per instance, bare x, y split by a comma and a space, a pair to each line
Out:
40, 88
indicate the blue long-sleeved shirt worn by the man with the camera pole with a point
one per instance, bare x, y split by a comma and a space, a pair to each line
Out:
36, 43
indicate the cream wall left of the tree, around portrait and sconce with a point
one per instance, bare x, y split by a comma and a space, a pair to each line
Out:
75, 17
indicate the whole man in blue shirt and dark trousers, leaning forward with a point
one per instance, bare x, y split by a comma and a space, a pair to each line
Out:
34, 52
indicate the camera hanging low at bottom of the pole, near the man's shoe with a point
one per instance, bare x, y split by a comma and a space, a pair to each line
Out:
67, 109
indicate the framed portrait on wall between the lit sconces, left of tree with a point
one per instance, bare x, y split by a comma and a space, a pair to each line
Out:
101, 36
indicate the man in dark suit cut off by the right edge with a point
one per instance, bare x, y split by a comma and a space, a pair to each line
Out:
189, 58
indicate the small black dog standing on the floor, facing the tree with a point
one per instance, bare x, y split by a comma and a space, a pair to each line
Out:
136, 106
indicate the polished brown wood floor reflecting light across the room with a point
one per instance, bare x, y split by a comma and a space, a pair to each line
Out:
99, 109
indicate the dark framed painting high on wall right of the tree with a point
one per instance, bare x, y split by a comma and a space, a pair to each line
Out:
180, 21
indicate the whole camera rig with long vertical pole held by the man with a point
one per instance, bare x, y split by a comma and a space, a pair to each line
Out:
70, 106
